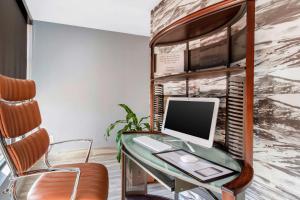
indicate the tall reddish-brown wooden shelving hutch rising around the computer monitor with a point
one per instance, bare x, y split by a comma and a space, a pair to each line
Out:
239, 98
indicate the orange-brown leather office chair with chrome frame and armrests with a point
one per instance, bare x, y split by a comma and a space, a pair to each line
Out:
20, 115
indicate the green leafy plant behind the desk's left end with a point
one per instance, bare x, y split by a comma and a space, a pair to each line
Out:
130, 123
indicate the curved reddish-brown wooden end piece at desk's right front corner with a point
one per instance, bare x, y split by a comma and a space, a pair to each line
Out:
241, 183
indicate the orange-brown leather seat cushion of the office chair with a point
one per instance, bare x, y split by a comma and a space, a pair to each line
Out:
93, 184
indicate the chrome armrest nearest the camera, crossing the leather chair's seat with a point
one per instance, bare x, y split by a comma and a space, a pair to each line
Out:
47, 171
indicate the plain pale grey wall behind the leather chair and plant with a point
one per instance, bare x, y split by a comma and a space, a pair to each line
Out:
81, 76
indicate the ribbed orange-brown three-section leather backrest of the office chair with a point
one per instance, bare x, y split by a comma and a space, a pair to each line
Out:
19, 115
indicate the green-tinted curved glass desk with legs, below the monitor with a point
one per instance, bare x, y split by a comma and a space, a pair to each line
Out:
138, 161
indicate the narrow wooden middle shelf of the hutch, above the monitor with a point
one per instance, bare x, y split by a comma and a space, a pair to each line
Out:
209, 73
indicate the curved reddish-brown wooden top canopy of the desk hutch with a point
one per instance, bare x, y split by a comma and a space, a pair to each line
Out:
200, 22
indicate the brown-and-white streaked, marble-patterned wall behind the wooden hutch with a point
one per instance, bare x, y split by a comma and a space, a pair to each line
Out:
277, 91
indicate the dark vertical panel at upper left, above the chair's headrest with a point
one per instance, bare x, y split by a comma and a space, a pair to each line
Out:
13, 39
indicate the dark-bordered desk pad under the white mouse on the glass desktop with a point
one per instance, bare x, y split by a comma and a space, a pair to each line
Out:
202, 169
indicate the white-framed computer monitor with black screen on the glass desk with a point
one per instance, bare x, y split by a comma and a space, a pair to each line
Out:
191, 119
